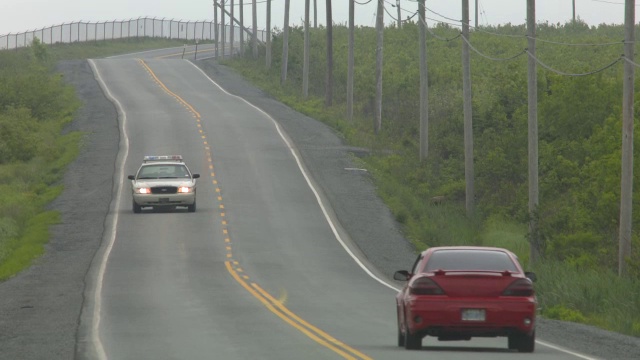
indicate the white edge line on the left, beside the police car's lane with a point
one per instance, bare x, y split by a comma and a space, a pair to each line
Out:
95, 328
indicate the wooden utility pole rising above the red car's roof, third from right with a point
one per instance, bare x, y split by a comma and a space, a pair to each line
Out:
468, 119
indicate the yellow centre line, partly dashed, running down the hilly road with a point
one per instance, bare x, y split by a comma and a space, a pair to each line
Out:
274, 305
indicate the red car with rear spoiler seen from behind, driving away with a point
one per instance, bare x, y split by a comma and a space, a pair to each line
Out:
460, 292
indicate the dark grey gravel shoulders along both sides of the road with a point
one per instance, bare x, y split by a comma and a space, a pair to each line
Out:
40, 308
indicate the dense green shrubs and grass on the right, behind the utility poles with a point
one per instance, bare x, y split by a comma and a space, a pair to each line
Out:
580, 148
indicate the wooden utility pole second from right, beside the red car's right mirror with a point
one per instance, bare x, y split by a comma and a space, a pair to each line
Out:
534, 230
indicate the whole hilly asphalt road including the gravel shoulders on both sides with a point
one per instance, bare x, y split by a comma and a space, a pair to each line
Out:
288, 256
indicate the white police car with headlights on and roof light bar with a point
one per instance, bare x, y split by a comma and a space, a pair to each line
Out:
163, 181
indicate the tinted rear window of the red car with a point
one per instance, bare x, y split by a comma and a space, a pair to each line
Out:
489, 260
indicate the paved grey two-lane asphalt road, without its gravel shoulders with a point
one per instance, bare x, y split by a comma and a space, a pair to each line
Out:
261, 270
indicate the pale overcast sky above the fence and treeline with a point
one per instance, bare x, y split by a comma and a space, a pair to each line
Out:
25, 15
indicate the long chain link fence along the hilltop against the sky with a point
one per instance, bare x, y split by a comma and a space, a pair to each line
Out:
122, 29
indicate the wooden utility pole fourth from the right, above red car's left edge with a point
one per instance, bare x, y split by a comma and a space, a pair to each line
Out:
424, 84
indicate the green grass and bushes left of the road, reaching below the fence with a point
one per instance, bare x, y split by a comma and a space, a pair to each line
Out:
35, 107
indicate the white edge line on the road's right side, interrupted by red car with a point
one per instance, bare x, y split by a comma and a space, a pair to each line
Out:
328, 218
